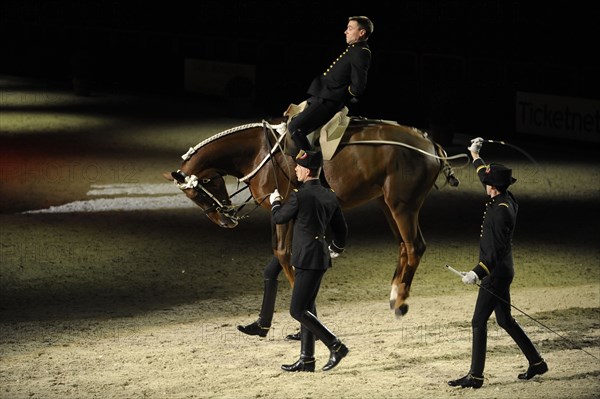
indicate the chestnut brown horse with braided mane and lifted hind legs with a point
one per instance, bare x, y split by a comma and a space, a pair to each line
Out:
390, 163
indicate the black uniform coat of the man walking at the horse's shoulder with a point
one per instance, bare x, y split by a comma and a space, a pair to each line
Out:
313, 208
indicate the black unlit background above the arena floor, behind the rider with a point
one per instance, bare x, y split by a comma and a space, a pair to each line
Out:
456, 64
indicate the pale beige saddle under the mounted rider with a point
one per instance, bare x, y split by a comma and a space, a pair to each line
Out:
327, 137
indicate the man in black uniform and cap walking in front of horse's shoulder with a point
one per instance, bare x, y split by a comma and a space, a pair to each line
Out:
313, 208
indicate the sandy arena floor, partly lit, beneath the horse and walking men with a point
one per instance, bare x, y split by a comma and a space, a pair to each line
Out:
118, 287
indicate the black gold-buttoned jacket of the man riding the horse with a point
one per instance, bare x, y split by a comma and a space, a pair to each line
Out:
346, 77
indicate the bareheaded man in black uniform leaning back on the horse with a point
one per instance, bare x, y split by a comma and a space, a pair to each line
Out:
342, 83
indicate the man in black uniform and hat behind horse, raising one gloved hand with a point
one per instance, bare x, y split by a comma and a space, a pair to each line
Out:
496, 271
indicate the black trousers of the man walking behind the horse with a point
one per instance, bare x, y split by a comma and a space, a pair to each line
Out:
494, 296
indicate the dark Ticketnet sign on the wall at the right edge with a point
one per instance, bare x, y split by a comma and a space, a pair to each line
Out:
566, 117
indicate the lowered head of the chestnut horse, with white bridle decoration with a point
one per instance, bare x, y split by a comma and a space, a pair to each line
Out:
209, 192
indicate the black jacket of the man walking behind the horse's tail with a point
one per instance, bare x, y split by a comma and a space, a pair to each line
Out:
497, 229
